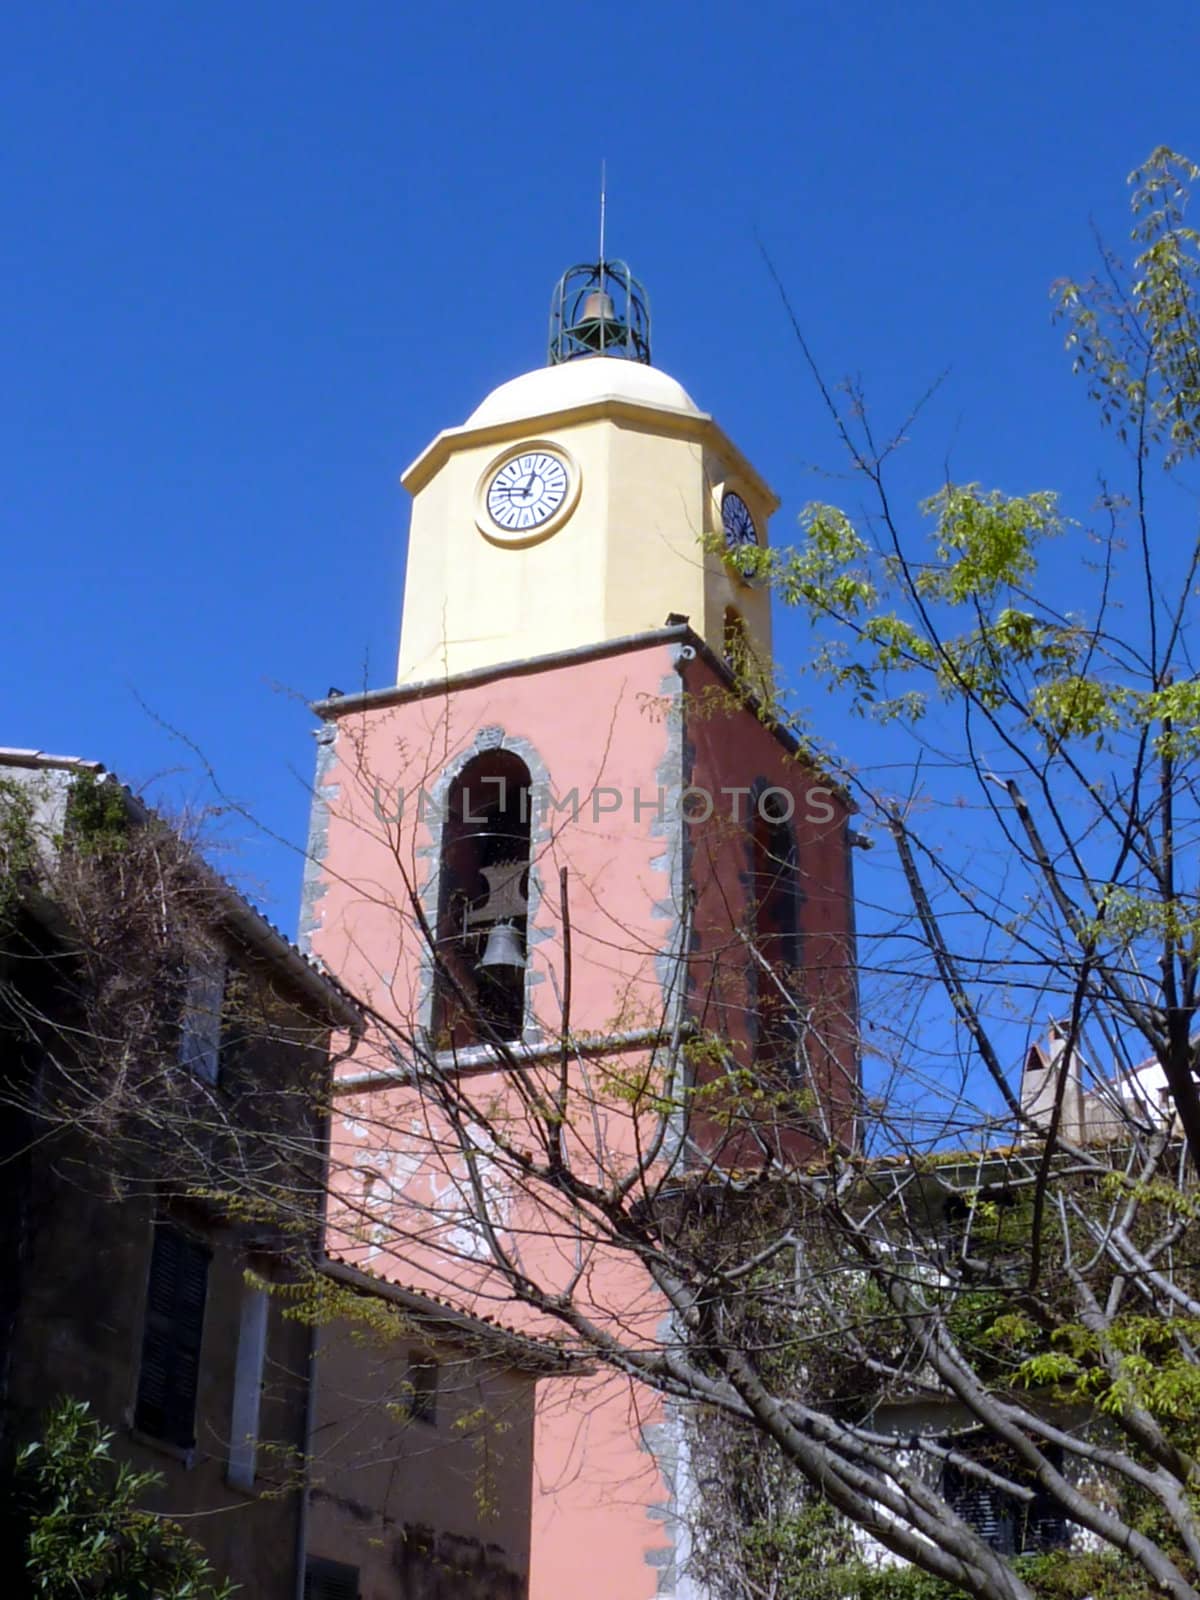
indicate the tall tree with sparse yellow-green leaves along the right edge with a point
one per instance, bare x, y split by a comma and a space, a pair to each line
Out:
1076, 727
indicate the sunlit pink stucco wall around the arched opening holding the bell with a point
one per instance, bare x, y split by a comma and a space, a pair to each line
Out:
598, 727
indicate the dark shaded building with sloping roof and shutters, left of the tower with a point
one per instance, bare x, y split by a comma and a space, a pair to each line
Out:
158, 1070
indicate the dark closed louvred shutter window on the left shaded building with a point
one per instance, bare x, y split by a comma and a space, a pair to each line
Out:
175, 1319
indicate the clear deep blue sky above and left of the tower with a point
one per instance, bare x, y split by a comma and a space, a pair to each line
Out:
257, 255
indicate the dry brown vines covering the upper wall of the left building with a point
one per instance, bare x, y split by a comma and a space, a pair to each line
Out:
108, 996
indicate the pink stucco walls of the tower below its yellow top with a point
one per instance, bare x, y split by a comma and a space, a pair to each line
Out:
615, 730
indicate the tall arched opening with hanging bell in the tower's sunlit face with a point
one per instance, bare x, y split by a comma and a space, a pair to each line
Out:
484, 895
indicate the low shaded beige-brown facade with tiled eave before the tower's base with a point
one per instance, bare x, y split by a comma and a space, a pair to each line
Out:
422, 1455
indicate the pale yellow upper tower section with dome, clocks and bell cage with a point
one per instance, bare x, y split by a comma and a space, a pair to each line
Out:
582, 503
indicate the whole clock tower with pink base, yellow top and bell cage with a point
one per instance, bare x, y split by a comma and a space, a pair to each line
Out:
574, 786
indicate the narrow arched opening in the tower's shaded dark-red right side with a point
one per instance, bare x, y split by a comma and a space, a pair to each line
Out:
777, 937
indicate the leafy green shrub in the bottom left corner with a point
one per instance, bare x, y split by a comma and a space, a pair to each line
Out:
87, 1534
